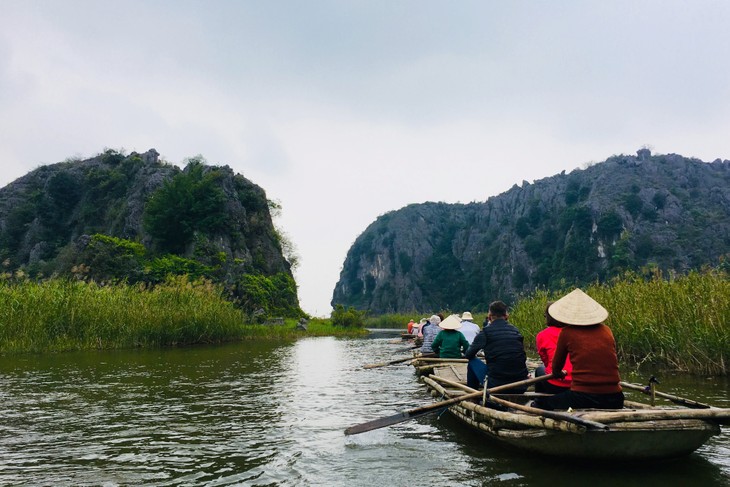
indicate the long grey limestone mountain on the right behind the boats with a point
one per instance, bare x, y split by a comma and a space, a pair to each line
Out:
664, 212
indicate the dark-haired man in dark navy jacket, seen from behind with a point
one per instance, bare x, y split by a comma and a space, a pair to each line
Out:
504, 352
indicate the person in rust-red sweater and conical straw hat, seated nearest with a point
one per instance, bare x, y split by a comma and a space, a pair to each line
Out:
592, 349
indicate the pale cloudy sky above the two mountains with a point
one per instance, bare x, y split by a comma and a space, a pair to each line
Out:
345, 110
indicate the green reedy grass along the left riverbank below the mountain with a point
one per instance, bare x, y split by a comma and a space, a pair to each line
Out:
59, 315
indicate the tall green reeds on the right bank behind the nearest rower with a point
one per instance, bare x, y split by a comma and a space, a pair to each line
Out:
682, 322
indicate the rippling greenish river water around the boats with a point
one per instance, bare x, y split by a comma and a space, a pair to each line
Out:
263, 414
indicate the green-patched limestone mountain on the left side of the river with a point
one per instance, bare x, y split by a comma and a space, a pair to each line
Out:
135, 218
